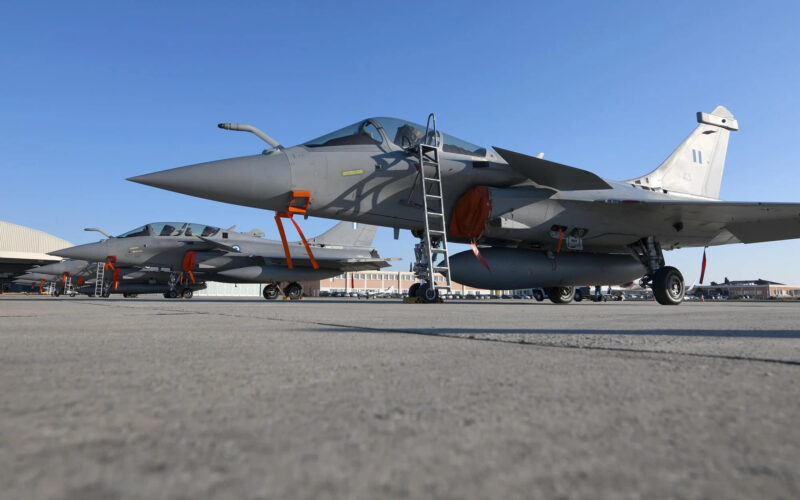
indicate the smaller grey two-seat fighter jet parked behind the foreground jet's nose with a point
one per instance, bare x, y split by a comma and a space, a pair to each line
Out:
193, 252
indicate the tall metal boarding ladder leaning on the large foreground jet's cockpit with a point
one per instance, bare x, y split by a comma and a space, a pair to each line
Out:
434, 241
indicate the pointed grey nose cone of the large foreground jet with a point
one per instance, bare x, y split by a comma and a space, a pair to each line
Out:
261, 181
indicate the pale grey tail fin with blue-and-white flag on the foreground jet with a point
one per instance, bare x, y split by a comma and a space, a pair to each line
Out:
696, 166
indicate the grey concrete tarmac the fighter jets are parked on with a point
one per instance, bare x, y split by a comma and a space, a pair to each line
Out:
335, 398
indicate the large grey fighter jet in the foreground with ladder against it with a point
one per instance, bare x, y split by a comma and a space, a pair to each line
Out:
532, 222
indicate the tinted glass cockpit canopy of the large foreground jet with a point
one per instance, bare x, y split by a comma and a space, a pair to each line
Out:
405, 134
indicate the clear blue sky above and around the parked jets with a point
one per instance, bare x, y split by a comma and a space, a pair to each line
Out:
94, 92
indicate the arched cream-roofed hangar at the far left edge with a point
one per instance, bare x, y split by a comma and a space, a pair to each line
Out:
22, 248
